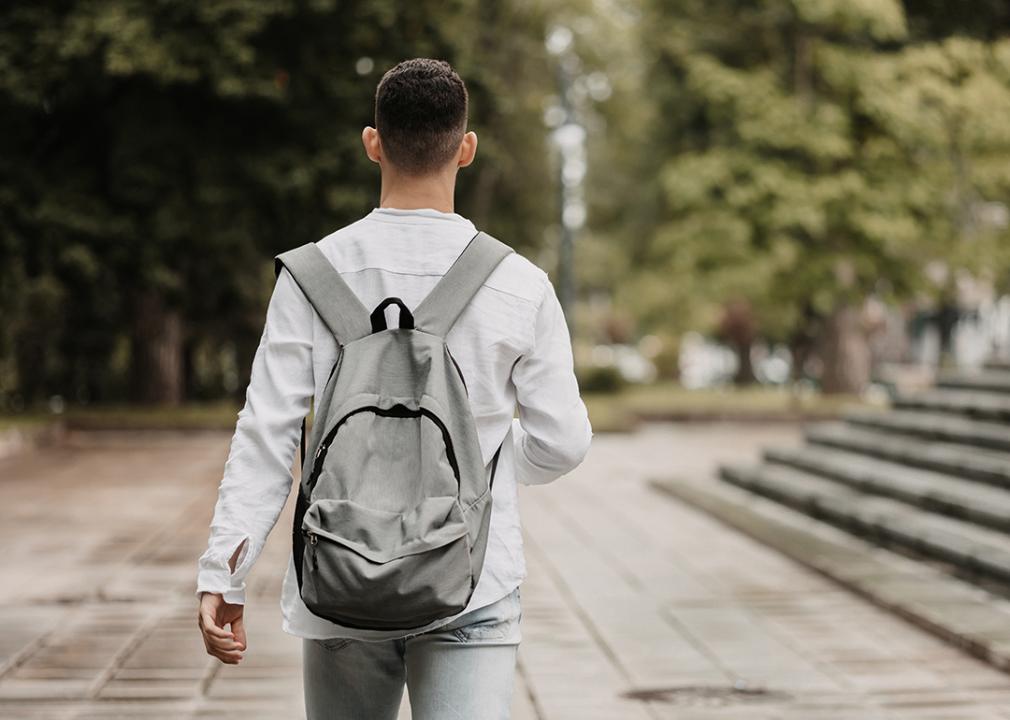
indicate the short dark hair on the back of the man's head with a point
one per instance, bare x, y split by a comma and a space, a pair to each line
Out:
421, 115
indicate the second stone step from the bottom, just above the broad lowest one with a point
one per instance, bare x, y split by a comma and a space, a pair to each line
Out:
969, 549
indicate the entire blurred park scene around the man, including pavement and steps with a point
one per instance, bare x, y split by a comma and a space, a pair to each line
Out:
757, 214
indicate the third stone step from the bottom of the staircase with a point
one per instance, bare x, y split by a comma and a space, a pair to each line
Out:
934, 492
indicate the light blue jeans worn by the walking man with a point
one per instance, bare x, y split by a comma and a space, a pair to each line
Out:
463, 670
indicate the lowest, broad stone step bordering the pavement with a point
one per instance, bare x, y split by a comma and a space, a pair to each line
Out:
966, 616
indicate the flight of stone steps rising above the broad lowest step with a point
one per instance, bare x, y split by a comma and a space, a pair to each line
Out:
931, 478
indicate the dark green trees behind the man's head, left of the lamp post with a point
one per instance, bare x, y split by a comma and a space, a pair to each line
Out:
157, 155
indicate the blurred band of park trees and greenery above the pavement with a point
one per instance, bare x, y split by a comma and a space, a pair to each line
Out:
797, 198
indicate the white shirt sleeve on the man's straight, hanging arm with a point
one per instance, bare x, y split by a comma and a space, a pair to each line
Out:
257, 476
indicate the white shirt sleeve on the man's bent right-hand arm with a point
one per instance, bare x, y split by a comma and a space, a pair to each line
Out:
553, 433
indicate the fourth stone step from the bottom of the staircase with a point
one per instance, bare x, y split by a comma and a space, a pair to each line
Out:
963, 461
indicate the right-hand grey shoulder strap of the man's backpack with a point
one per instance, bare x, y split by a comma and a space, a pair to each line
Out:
439, 312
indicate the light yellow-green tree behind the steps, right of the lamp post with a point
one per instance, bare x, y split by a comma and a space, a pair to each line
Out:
816, 154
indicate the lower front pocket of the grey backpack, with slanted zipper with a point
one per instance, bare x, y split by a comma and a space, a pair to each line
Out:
381, 570
